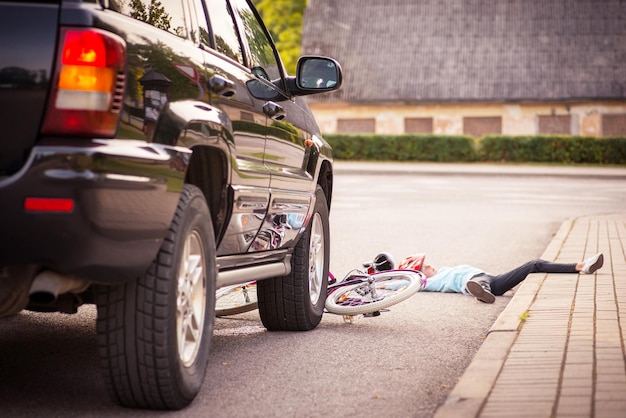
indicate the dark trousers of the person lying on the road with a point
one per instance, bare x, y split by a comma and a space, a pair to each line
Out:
501, 283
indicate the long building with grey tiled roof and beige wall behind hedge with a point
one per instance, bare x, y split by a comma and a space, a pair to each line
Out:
516, 67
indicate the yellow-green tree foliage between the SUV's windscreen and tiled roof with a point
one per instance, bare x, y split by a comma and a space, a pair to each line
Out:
283, 19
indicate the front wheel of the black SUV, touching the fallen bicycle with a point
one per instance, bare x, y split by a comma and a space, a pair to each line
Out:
296, 302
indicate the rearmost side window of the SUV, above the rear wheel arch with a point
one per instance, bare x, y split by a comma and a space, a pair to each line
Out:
168, 15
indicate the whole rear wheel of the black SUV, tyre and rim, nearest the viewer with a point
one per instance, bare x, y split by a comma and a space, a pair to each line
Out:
154, 334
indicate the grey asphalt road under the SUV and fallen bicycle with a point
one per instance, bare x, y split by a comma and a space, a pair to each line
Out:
401, 364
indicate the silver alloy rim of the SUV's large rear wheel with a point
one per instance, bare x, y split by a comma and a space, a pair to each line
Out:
191, 299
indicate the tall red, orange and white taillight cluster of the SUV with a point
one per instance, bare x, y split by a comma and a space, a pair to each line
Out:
88, 84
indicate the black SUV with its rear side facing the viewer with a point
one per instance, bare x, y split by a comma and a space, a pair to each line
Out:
150, 153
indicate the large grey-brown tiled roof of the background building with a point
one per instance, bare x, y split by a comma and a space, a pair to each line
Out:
471, 50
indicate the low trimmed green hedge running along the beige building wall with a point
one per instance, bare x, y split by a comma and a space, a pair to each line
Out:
462, 148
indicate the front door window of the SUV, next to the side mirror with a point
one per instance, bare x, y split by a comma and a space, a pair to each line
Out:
263, 59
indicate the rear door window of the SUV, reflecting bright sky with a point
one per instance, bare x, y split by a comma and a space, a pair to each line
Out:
224, 29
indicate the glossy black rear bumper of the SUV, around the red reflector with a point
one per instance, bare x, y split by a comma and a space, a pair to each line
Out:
124, 195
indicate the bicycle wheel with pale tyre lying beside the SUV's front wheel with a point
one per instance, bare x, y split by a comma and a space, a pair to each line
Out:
387, 289
